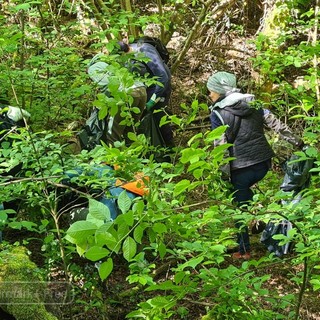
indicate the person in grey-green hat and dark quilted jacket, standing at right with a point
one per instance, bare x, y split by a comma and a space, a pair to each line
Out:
250, 149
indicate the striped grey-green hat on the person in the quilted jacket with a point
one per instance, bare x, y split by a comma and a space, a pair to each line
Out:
222, 82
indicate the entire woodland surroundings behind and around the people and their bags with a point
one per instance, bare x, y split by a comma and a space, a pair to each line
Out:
165, 256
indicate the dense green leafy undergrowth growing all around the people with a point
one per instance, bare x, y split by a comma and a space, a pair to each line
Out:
165, 256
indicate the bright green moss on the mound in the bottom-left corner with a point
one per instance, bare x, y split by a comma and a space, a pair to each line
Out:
22, 288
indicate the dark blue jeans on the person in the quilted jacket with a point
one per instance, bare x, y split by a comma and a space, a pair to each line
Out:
242, 180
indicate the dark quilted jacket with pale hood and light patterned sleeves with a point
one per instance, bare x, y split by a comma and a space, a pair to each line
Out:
246, 130
